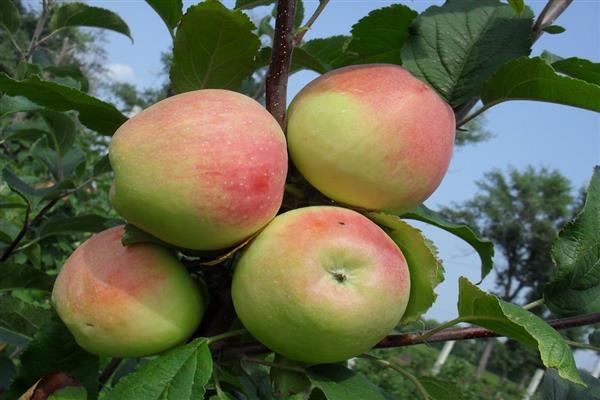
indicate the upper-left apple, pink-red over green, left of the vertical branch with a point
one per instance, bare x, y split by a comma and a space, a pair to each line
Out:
202, 170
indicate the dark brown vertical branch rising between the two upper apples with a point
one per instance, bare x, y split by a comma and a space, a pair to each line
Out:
281, 57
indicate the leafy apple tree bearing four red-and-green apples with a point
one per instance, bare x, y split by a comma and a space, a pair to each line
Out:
148, 308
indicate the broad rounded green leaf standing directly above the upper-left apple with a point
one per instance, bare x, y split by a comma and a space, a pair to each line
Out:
214, 48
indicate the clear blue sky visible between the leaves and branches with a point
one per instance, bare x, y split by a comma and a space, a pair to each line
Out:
526, 133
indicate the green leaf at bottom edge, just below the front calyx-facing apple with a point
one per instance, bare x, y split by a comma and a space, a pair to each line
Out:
340, 383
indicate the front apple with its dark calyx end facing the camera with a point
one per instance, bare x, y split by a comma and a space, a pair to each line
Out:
286, 292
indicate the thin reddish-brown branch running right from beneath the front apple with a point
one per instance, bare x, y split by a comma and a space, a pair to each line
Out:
414, 338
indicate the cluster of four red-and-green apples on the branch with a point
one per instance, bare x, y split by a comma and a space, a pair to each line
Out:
205, 170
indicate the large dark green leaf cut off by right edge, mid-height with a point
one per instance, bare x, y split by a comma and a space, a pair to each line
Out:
575, 289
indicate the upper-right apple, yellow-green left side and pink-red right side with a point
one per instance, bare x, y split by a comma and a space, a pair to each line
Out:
371, 136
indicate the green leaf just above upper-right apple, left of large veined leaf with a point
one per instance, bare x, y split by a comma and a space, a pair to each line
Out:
379, 37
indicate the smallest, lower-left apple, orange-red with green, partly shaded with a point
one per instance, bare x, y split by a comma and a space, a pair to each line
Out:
129, 301
